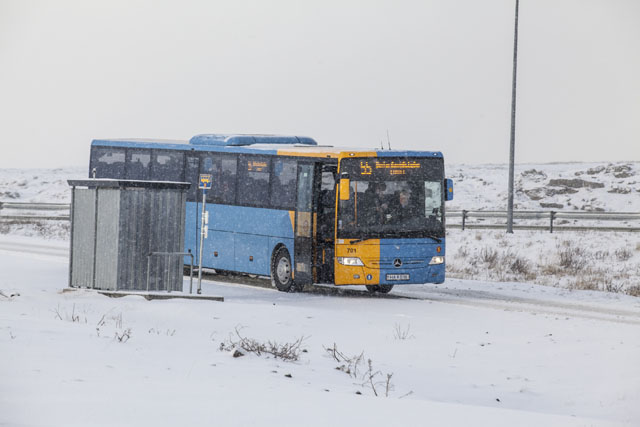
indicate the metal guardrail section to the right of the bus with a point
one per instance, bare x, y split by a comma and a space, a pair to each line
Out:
550, 216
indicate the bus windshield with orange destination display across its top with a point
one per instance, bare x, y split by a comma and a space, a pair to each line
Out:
392, 198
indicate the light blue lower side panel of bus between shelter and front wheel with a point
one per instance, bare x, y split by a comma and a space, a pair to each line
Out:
242, 237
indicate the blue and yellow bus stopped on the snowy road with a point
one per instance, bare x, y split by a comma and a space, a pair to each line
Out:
299, 212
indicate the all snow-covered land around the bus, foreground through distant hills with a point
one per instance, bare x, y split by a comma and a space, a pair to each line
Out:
532, 339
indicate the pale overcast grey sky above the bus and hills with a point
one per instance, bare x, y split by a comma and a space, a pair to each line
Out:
435, 73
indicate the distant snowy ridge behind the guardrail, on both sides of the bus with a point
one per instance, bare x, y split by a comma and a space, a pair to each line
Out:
569, 186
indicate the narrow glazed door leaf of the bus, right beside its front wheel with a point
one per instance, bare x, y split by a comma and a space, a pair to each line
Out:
304, 227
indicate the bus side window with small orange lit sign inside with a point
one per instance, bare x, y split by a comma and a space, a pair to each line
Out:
253, 181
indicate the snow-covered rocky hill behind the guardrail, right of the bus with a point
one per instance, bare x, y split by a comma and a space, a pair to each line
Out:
558, 186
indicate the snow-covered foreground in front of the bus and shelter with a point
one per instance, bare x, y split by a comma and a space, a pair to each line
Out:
463, 353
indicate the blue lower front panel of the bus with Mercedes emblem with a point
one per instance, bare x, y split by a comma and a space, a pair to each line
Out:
415, 255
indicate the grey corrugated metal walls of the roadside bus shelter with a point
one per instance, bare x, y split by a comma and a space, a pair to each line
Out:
131, 223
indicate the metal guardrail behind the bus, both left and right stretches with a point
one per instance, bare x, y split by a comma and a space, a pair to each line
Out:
465, 215
